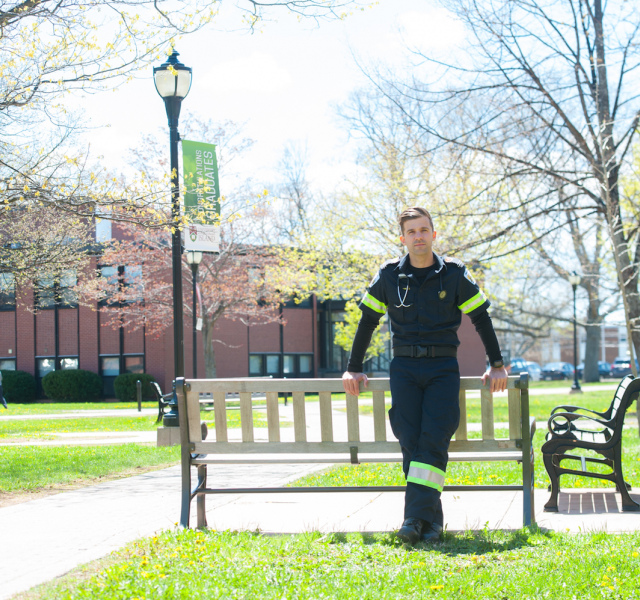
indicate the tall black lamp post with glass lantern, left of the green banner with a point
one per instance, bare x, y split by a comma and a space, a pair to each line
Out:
173, 81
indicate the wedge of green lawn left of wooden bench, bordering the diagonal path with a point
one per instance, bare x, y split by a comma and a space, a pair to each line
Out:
24, 468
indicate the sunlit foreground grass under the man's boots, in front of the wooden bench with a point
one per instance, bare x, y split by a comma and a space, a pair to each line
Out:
526, 564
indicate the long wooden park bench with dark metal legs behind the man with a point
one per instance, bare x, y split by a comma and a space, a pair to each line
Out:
284, 443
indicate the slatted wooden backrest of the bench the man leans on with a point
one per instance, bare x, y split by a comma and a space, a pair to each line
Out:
221, 440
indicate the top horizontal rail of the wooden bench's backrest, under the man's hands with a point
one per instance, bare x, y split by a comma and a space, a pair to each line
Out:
255, 385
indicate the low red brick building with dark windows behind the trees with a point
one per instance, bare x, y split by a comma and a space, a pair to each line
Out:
61, 334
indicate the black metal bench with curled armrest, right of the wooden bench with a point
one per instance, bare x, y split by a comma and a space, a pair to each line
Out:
574, 428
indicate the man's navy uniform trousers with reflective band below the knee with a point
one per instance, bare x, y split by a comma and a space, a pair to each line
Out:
424, 415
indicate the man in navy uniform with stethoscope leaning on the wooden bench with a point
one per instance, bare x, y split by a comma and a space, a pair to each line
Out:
424, 296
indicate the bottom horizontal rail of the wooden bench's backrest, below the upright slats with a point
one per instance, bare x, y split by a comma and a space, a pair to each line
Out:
302, 447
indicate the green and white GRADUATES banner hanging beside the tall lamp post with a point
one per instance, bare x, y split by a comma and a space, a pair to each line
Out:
202, 196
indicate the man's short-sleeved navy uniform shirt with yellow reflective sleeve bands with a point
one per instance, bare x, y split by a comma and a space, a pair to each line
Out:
432, 313
